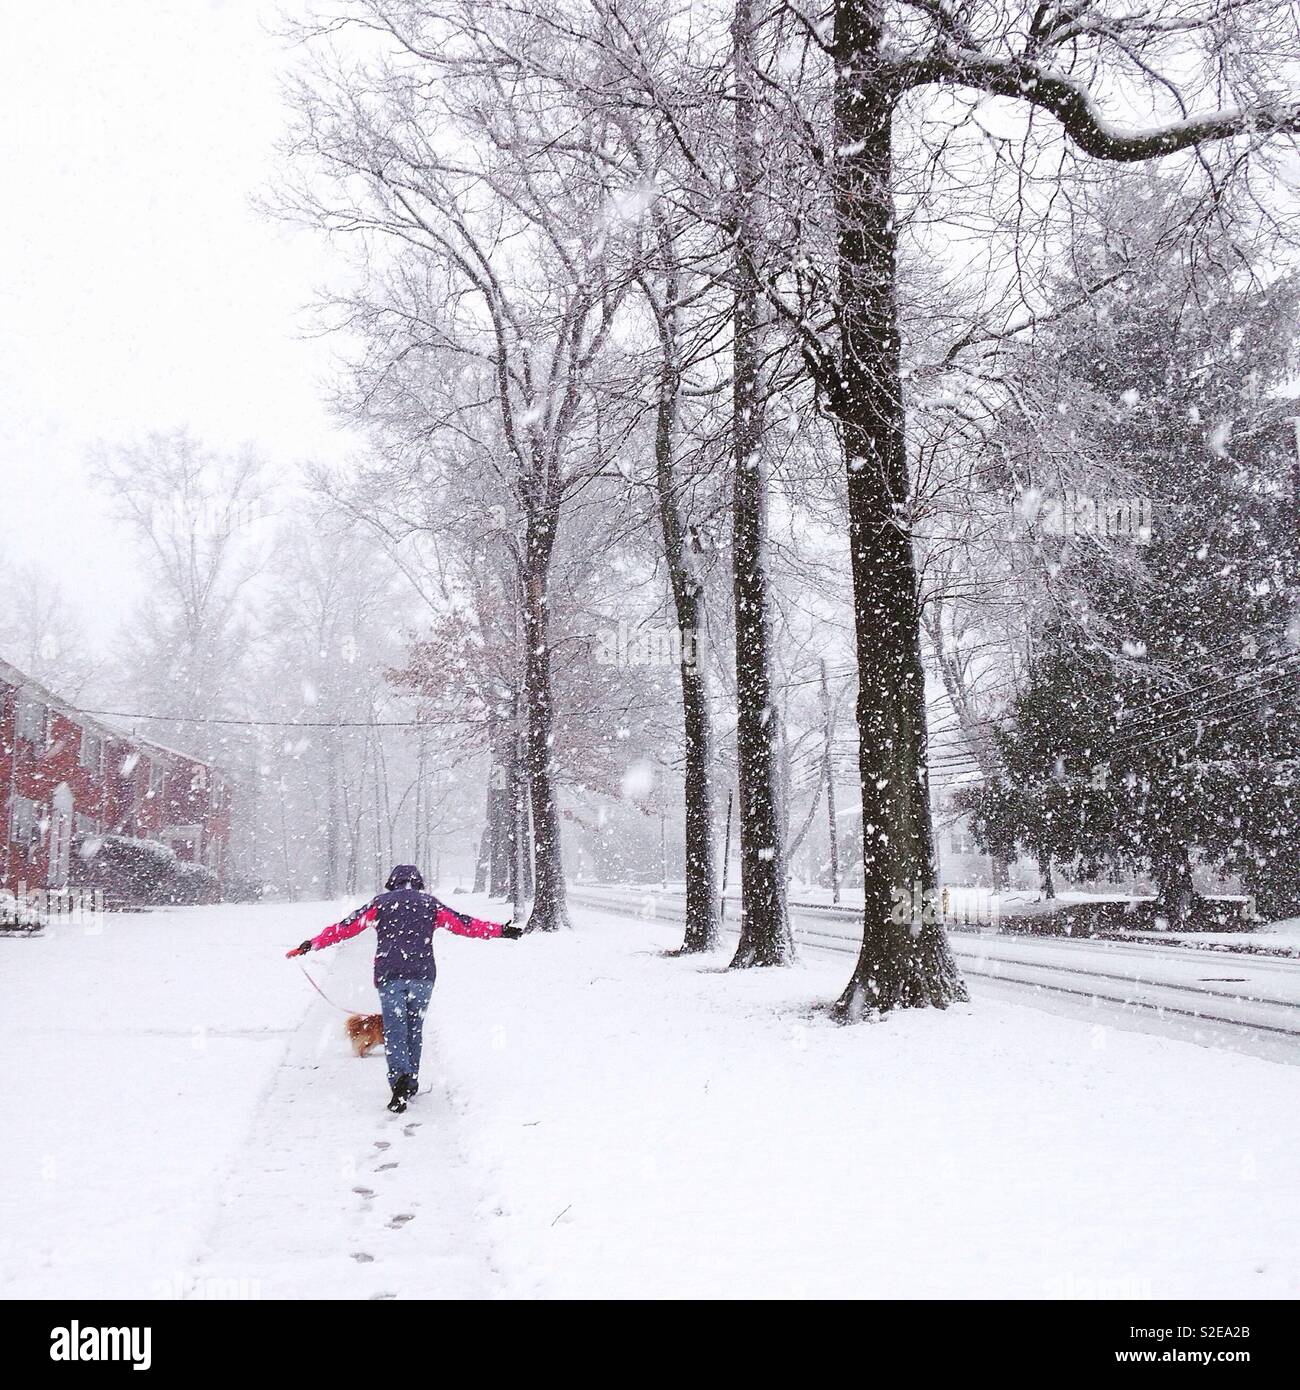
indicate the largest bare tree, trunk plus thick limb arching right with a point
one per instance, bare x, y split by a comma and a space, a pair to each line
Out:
1055, 59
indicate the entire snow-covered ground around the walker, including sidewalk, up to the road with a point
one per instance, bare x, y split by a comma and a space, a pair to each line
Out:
183, 1117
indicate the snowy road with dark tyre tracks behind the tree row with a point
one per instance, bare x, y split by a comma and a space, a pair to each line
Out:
1245, 1003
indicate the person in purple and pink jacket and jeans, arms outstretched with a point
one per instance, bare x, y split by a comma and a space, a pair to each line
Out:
405, 919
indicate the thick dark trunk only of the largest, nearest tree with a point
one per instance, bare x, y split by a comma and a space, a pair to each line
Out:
906, 961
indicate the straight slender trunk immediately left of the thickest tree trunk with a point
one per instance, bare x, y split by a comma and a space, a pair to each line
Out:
765, 936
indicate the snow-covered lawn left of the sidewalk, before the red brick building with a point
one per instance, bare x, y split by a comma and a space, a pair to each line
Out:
137, 1050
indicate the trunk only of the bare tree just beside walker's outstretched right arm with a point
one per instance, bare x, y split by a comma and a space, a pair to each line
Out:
549, 871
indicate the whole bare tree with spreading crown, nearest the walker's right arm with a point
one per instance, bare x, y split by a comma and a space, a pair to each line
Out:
501, 273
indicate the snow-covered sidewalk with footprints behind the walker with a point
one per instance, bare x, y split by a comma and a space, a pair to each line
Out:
333, 1197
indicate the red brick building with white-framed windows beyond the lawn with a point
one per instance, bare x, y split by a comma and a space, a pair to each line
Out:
66, 776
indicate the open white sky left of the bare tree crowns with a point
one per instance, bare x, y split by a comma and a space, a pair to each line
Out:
138, 287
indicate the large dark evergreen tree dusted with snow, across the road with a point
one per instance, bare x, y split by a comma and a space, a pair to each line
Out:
1159, 719
